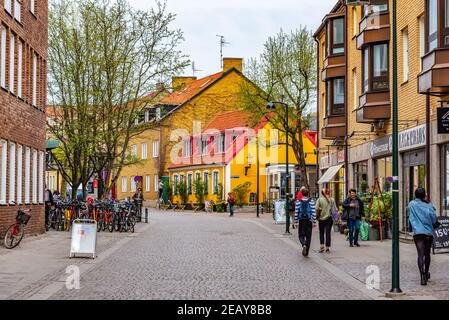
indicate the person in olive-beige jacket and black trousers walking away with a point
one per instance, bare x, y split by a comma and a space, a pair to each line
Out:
324, 215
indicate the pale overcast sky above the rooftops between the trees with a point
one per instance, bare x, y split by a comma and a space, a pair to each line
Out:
246, 24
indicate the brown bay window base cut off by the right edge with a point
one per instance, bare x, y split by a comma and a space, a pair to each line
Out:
434, 77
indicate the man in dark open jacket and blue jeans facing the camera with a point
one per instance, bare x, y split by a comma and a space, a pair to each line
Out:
354, 211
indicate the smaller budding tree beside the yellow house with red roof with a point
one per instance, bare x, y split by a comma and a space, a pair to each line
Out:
285, 72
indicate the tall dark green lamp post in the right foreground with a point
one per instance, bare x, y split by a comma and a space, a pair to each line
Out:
395, 288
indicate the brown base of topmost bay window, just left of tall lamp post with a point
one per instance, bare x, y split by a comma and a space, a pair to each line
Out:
374, 28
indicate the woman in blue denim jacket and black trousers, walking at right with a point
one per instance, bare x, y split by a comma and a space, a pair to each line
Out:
422, 217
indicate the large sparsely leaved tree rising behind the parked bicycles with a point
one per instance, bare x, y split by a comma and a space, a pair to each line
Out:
101, 68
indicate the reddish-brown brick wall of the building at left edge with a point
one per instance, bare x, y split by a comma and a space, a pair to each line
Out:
21, 122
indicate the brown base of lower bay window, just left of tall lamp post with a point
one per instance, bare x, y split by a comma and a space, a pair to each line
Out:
374, 106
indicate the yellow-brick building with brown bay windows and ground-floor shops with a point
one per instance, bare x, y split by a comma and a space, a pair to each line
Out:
354, 45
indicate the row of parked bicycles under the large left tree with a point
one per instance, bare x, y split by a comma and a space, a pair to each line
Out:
109, 215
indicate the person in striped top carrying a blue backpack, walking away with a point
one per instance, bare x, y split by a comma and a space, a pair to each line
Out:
305, 220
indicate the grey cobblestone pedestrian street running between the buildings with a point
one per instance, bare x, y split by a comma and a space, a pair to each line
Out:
199, 256
